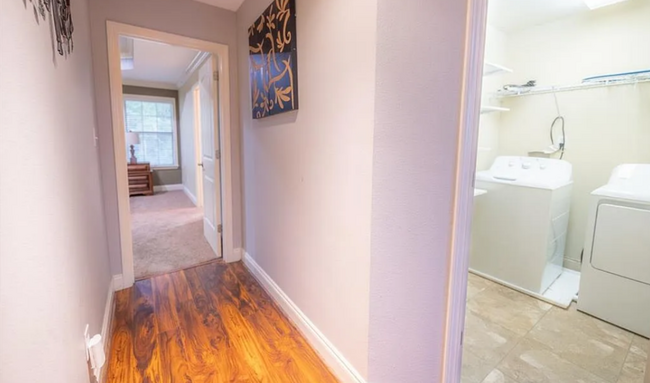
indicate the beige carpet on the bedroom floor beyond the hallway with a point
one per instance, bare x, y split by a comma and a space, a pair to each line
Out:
167, 234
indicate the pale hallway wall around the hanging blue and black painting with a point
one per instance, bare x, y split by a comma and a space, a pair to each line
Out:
307, 173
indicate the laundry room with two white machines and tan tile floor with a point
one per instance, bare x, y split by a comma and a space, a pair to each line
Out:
559, 282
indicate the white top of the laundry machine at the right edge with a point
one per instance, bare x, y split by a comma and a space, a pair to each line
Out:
629, 182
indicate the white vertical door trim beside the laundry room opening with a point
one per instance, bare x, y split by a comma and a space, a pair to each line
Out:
464, 195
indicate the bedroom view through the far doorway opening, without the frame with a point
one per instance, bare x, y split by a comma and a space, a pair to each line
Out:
163, 88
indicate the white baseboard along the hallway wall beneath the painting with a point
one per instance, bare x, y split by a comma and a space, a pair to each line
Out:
332, 357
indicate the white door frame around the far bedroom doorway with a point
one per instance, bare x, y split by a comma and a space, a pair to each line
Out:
221, 52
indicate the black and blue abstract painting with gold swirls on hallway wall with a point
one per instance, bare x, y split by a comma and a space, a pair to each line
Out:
273, 60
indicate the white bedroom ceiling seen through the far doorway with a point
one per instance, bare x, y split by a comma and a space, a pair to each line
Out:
158, 65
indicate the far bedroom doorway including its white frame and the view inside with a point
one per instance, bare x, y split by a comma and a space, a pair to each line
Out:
171, 133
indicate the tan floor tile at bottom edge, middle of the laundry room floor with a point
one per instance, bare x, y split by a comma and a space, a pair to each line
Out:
532, 362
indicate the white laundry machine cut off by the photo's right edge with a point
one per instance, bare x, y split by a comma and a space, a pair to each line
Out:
615, 280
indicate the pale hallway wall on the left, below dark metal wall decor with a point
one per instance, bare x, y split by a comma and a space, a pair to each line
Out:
54, 267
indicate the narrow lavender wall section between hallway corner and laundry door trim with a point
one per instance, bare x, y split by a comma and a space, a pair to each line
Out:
420, 53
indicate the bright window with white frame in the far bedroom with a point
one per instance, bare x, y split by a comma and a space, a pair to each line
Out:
154, 118
